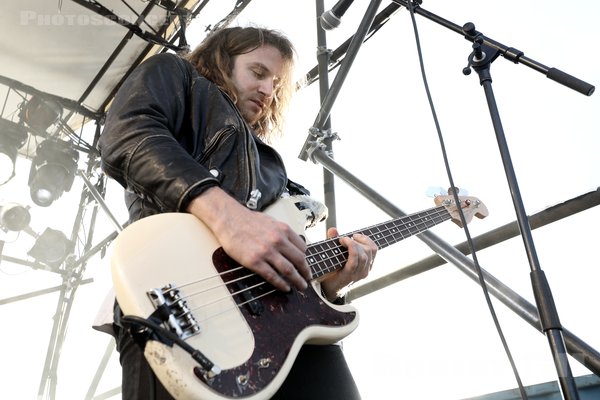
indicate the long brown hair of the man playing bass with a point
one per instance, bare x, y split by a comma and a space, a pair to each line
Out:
214, 58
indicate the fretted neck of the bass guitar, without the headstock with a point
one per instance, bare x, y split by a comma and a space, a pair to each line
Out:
329, 255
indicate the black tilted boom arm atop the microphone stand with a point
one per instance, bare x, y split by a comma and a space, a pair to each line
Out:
510, 53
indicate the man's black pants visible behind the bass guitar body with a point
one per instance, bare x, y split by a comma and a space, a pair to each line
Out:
319, 372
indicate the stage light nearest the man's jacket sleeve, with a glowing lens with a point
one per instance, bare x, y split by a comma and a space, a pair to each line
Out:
52, 171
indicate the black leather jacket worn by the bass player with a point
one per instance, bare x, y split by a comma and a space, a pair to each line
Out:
170, 134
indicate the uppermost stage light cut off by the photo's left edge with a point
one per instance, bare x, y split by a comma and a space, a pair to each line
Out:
12, 137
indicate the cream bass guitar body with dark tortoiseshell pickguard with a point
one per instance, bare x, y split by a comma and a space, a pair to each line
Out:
251, 332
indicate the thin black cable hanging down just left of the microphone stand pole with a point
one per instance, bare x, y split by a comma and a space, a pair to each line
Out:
462, 217
